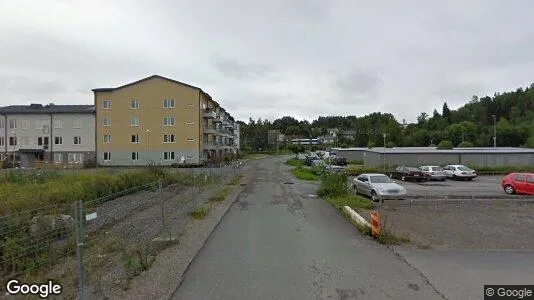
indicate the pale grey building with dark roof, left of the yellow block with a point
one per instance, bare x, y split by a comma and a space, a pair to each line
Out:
63, 134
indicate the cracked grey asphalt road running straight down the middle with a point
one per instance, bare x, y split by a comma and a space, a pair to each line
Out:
279, 241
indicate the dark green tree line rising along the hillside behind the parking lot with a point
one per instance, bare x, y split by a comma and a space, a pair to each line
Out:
509, 114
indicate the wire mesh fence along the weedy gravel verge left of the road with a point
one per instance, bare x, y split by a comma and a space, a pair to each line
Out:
97, 246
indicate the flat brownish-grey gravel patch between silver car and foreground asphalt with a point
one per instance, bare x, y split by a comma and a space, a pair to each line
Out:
463, 225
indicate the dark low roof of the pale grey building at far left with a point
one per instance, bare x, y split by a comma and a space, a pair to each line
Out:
47, 109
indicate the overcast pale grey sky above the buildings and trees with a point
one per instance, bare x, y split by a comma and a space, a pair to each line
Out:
271, 58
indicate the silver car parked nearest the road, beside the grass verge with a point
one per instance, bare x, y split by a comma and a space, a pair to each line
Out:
378, 186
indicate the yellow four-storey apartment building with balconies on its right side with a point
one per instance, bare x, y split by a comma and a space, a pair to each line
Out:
157, 120
